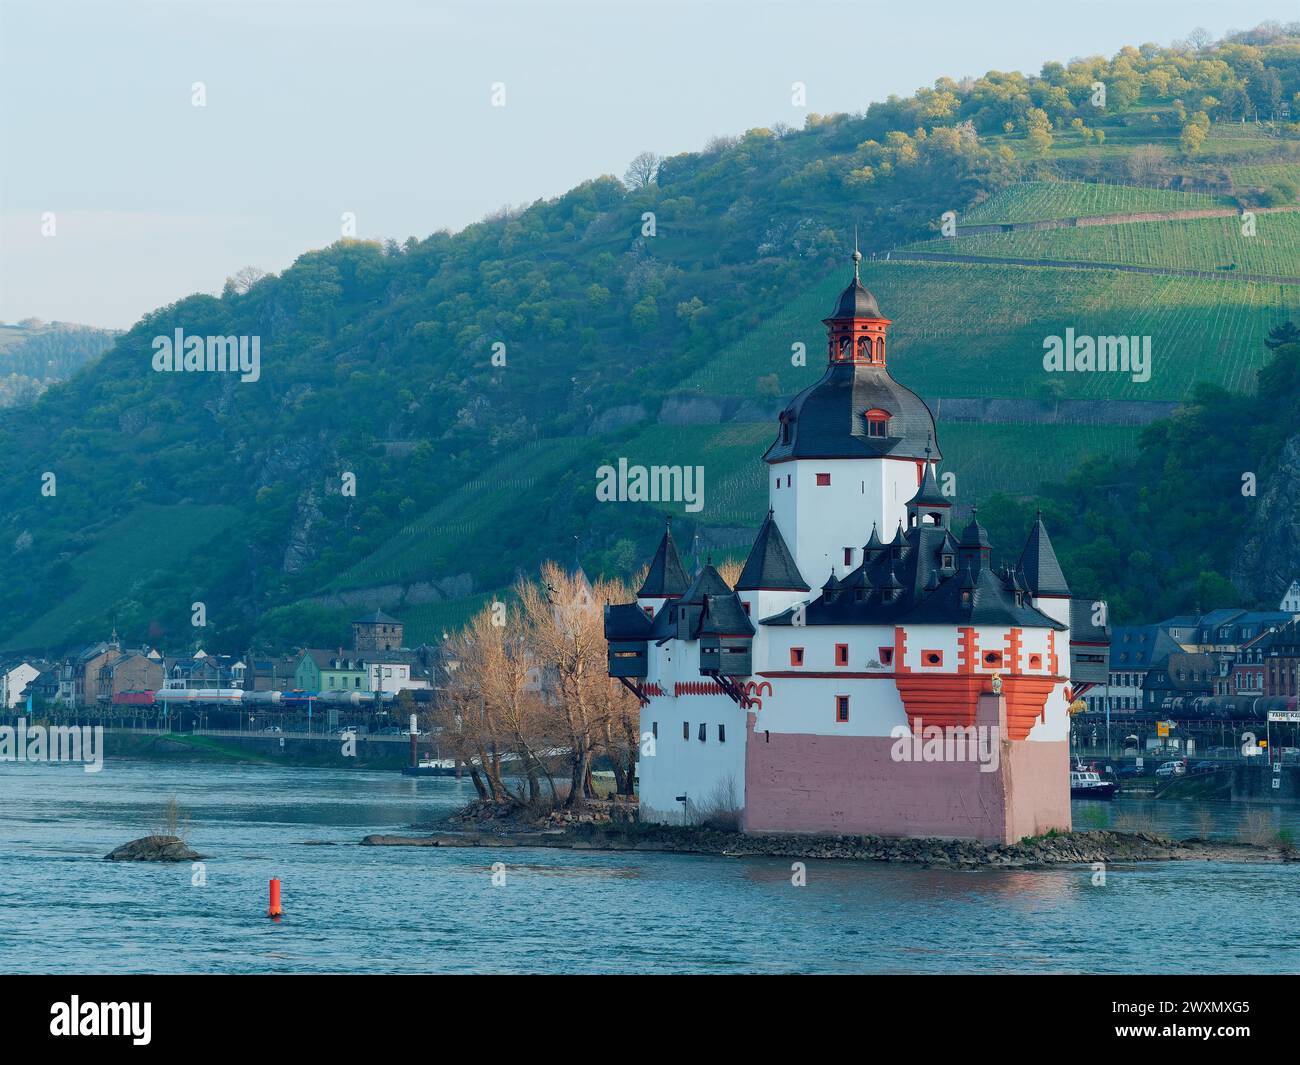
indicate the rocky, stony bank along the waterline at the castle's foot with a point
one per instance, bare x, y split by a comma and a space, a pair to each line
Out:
1064, 848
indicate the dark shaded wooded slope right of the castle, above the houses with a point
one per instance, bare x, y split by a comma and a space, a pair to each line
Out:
1160, 532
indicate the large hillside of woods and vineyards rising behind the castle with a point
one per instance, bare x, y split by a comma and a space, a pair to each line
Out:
651, 318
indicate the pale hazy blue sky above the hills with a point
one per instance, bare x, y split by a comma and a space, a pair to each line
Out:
383, 109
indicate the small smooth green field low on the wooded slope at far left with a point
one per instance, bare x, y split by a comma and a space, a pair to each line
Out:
109, 574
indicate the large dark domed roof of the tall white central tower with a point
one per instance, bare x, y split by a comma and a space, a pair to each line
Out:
827, 419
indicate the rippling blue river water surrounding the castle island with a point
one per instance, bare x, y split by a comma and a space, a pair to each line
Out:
359, 910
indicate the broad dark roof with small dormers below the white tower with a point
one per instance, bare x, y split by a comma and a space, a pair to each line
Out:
907, 583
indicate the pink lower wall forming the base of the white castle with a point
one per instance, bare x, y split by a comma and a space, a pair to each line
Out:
851, 785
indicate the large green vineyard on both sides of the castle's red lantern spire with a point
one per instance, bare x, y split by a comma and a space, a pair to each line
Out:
1202, 330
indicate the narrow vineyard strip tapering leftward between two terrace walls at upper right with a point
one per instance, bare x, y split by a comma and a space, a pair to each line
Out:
1193, 245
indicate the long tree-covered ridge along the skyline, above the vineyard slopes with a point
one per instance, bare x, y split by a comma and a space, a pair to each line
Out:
376, 360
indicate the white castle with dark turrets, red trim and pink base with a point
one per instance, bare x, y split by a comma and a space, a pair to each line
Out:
872, 673
